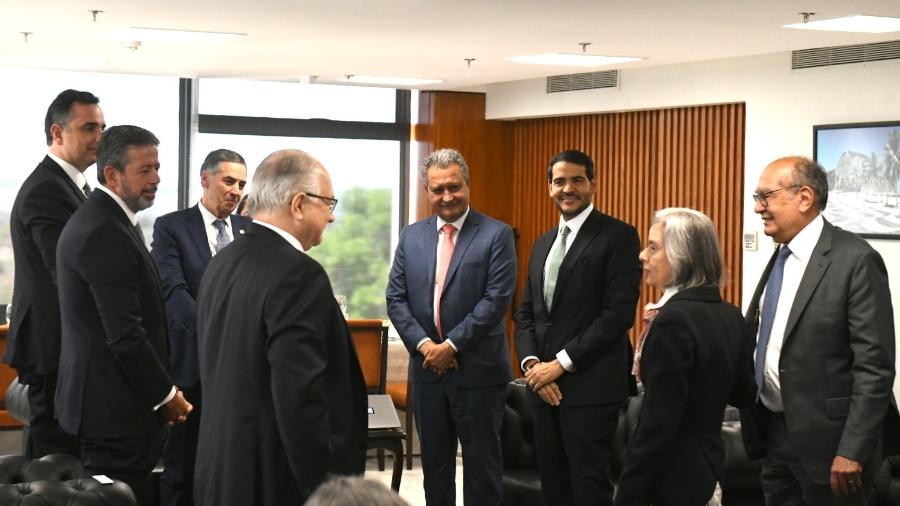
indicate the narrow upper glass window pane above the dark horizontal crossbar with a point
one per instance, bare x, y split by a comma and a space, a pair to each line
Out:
266, 99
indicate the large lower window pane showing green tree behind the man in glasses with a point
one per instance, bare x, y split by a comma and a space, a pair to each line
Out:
356, 248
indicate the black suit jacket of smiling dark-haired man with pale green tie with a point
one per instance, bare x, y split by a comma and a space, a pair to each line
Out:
593, 308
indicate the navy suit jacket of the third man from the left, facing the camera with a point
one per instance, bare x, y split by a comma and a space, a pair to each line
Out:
181, 252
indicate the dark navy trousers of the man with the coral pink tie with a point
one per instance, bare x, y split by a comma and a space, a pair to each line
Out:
446, 412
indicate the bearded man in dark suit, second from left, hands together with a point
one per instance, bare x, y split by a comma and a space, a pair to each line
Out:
113, 390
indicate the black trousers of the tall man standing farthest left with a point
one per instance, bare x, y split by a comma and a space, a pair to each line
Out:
45, 436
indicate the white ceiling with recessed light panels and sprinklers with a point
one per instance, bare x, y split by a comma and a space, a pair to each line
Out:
291, 39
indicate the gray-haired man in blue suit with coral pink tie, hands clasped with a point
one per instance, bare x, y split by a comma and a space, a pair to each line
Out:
452, 281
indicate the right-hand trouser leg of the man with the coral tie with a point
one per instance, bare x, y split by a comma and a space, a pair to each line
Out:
477, 414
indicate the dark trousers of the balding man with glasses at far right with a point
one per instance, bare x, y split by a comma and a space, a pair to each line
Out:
786, 483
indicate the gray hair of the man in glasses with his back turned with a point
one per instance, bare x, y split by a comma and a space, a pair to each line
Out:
280, 176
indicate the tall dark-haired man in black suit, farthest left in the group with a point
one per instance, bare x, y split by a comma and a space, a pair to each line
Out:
44, 204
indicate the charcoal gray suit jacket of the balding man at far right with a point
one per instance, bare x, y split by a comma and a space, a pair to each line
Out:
837, 360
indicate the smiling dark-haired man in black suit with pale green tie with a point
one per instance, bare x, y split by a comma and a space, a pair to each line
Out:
571, 334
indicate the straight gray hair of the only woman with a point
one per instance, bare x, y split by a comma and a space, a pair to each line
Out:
692, 247
